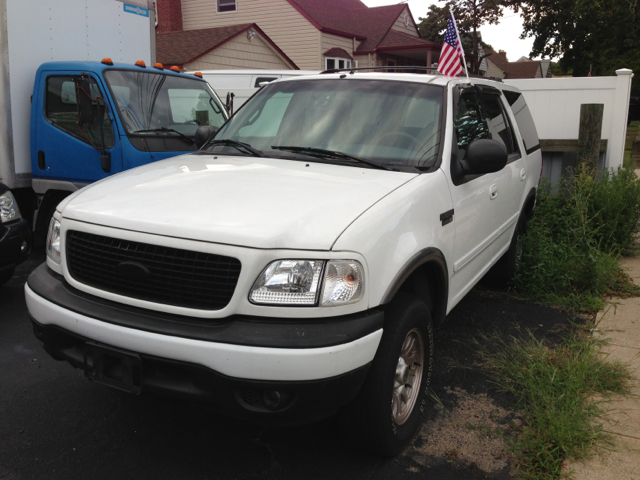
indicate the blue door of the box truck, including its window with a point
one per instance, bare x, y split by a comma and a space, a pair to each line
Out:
64, 149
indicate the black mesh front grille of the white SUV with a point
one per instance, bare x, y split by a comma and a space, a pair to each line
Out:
153, 273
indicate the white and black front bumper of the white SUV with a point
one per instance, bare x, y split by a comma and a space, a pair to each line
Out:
317, 365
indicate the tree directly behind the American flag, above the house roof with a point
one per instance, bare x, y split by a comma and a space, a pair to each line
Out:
470, 16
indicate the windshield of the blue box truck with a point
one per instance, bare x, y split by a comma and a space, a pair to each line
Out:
159, 104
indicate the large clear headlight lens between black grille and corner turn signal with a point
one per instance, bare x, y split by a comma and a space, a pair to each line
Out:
288, 282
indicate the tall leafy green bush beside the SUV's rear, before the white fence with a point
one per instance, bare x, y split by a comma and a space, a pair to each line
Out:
575, 237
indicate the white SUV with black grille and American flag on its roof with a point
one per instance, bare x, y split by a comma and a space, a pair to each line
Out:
293, 267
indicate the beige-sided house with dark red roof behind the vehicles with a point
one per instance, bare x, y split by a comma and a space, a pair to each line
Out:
305, 34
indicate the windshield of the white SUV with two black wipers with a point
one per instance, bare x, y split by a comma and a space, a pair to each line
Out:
387, 122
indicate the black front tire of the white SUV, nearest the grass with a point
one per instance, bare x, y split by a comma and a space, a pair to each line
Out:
369, 420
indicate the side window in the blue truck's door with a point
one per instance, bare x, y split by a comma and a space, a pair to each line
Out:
62, 112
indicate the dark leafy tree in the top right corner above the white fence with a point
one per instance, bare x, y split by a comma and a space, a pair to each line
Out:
603, 35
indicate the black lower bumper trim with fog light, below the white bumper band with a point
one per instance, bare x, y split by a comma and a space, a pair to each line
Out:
307, 401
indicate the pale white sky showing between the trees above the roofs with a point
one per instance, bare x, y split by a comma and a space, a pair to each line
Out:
504, 36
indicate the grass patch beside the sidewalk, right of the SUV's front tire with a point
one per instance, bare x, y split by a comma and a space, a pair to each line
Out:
554, 389
